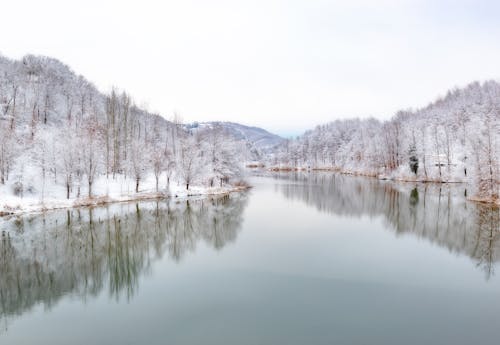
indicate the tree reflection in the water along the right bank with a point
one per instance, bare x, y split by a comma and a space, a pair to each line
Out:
437, 213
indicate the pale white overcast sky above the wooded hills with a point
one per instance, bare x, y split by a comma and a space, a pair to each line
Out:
282, 65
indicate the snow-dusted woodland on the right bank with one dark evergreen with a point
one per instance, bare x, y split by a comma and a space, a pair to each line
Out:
454, 139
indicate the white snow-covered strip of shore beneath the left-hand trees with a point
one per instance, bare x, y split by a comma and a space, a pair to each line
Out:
106, 191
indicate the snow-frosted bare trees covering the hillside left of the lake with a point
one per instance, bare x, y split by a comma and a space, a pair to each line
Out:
56, 126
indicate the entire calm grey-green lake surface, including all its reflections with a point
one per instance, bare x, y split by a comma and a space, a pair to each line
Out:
300, 259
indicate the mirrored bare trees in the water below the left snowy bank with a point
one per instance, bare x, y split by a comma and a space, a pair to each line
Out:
83, 251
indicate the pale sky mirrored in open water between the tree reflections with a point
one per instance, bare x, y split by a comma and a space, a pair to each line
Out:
295, 275
